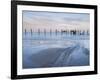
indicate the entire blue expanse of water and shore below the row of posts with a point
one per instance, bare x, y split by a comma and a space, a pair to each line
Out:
55, 51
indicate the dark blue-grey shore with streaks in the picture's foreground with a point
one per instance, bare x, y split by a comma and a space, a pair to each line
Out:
58, 57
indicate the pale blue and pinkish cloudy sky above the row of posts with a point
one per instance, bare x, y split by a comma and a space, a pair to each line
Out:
55, 20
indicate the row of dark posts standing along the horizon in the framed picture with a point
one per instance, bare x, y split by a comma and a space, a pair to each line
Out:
71, 32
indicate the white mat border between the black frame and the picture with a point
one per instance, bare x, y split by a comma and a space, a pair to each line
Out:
21, 71
